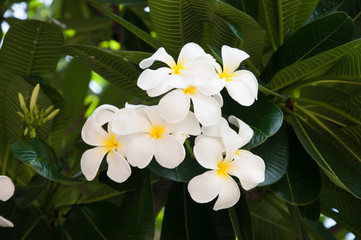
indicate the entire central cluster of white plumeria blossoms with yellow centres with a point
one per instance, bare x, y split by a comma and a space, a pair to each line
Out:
137, 133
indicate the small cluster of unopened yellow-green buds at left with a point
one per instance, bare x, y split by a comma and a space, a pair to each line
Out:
33, 117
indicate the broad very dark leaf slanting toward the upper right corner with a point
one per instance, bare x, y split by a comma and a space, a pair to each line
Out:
314, 38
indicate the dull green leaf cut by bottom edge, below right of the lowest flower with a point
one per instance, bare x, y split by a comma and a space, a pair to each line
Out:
271, 221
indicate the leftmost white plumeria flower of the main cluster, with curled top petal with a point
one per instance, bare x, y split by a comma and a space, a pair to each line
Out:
105, 142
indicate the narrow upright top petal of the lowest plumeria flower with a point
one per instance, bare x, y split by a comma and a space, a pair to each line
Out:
232, 141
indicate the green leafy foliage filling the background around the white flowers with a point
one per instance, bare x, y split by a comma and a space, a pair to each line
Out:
306, 55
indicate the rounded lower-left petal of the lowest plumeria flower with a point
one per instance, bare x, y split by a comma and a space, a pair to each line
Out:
205, 187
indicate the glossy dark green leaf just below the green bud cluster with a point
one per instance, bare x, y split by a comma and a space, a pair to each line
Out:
40, 157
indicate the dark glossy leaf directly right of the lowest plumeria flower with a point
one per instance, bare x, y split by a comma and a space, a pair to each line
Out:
275, 154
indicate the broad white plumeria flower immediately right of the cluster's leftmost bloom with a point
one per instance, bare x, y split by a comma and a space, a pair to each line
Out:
154, 136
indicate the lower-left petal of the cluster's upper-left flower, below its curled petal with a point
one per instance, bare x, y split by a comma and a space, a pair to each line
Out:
149, 78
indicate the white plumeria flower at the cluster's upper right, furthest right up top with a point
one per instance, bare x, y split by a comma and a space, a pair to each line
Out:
241, 85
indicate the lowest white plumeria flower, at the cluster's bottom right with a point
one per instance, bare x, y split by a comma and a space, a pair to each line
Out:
218, 181
